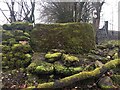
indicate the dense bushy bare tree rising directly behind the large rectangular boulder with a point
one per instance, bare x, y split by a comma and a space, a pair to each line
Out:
64, 11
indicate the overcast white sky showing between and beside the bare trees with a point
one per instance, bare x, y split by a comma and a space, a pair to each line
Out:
109, 13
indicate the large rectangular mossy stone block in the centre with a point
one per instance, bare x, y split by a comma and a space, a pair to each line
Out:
71, 37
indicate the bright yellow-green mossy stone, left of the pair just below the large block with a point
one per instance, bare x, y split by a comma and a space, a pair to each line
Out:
51, 57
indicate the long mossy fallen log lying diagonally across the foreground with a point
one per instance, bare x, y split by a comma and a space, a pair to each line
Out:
81, 76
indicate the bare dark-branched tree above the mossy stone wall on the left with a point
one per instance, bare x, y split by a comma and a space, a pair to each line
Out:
25, 11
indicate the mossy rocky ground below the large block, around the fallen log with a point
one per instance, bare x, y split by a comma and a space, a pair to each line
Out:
57, 64
